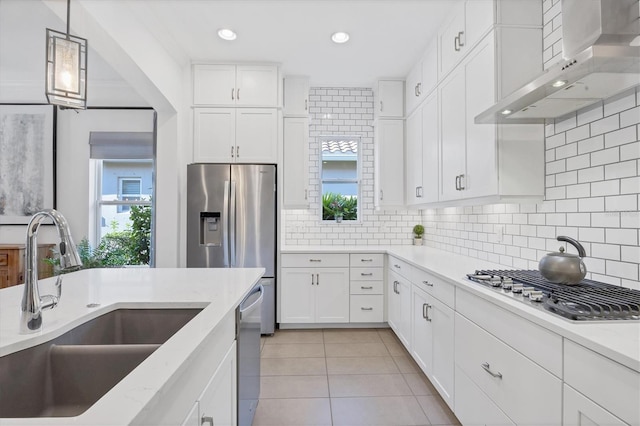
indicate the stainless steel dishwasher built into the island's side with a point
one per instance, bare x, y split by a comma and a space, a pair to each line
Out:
249, 321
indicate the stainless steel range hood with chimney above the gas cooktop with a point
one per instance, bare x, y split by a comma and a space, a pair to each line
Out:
601, 51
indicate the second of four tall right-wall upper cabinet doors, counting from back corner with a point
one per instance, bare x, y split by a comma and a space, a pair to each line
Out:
430, 150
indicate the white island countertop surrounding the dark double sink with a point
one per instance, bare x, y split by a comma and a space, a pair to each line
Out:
218, 291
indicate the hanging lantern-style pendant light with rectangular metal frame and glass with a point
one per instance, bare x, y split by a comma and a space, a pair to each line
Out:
66, 83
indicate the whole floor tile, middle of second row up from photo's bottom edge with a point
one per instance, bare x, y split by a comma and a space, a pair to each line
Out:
368, 385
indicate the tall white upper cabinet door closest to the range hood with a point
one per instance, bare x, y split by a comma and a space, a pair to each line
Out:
481, 176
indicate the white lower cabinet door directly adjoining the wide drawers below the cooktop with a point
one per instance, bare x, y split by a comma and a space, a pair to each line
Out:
442, 324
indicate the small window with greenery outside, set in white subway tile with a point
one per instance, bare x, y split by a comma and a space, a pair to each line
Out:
340, 177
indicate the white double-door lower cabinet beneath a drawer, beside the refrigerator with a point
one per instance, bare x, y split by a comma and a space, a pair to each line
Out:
314, 295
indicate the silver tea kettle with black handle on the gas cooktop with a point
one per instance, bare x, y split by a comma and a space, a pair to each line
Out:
564, 268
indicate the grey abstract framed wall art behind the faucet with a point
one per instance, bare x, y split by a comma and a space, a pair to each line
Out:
27, 161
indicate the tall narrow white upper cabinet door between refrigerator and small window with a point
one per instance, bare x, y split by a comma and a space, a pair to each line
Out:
296, 163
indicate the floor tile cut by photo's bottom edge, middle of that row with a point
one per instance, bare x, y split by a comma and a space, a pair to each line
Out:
384, 411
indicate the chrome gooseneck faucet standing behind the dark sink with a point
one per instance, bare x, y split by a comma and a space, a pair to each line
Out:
32, 302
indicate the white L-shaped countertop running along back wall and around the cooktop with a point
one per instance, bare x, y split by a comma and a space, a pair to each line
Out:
618, 340
